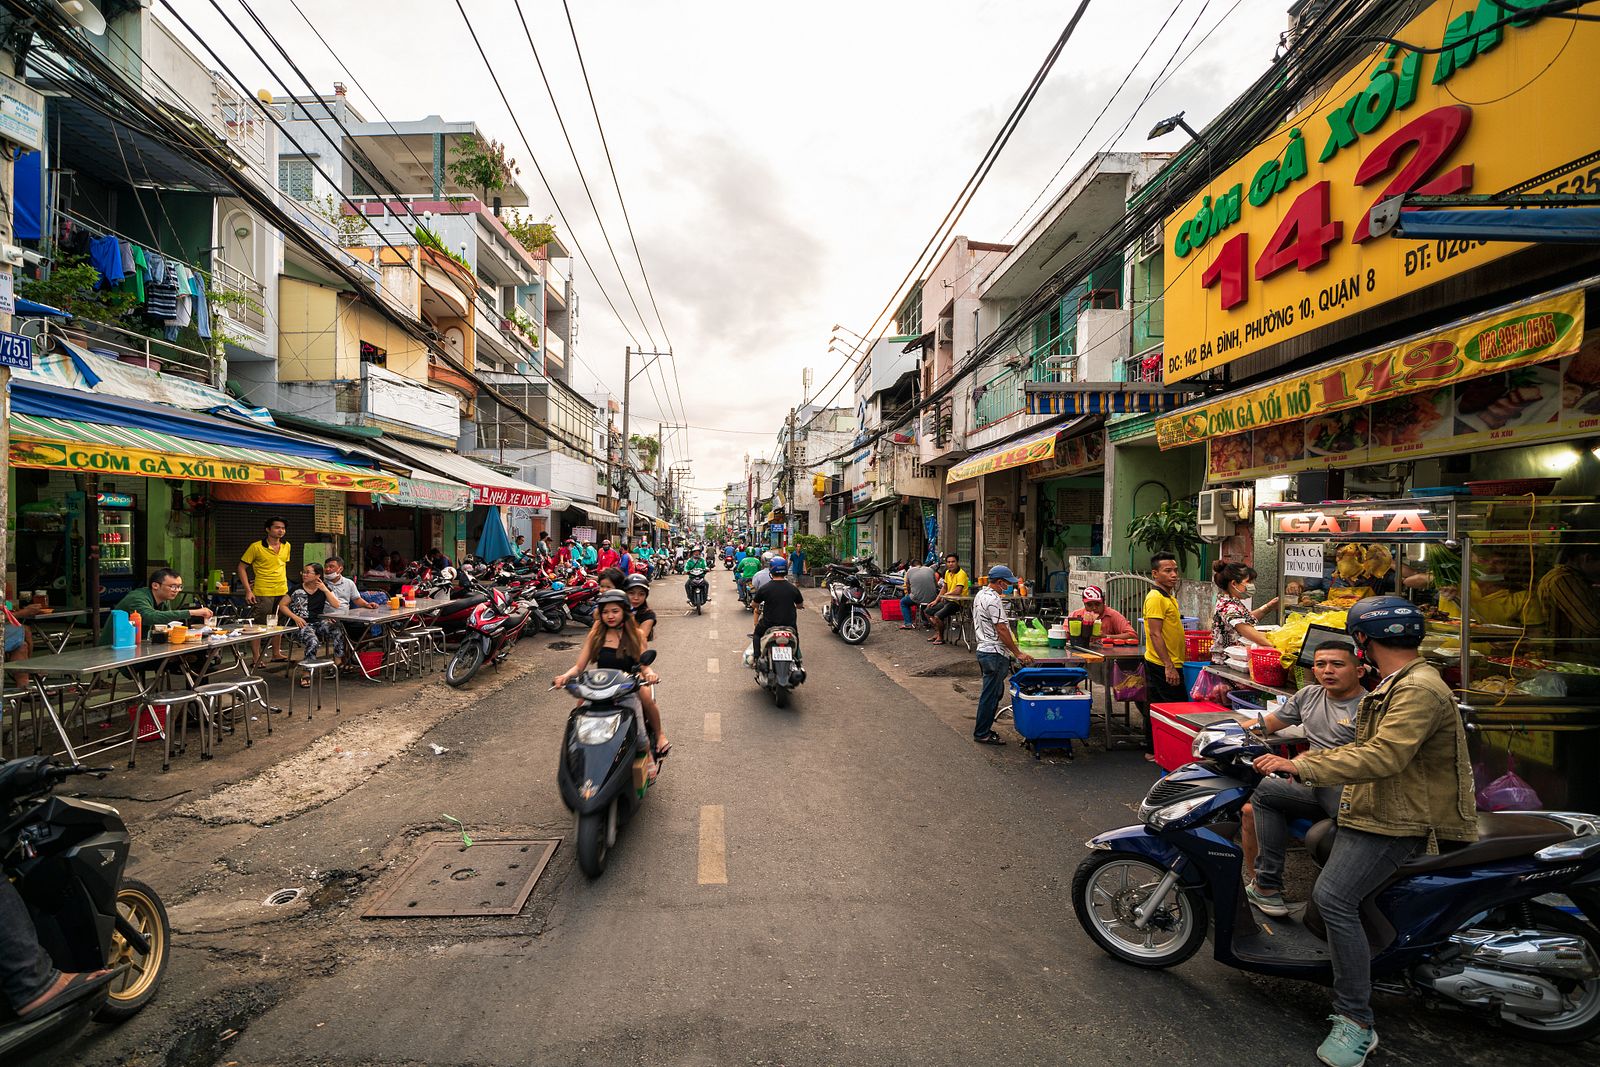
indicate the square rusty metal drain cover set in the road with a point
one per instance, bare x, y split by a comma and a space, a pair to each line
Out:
447, 881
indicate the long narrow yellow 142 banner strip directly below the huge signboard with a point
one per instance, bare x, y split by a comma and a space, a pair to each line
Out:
1522, 335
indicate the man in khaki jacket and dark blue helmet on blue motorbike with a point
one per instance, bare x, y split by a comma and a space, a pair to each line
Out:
1407, 786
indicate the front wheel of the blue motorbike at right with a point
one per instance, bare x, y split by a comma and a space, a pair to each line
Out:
1106, 890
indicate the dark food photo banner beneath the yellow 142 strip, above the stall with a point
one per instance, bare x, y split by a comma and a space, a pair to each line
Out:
1530, 404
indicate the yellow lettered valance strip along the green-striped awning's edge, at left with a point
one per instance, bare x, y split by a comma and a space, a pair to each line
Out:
137, 462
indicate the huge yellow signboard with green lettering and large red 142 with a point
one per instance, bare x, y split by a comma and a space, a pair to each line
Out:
1281, 244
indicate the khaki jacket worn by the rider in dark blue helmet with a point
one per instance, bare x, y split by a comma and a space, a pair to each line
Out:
1407, 773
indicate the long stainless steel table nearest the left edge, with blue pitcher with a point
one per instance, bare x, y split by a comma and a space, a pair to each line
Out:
89, 665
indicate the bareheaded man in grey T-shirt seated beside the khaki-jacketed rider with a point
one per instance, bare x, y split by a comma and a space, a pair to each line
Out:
1329, 714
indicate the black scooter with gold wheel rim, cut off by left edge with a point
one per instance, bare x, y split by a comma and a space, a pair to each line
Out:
66, 860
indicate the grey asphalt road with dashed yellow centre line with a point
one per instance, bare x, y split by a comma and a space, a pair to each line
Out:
850, 881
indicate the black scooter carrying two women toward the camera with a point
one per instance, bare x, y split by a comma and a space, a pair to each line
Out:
604, 757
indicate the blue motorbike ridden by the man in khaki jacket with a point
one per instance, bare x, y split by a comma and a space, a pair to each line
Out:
1473, 927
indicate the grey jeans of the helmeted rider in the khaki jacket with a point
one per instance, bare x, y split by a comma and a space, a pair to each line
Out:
1359, 865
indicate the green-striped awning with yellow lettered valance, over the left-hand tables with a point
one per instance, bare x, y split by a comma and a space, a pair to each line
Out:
122, 450
